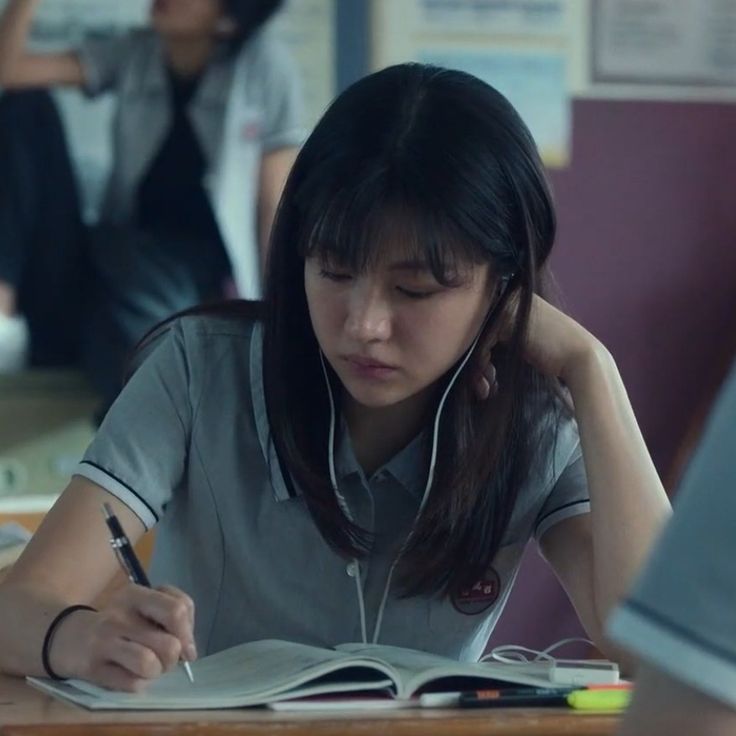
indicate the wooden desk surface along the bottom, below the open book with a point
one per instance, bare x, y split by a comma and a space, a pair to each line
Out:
25, 711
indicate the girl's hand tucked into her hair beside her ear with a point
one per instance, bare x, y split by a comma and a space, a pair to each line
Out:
556, 345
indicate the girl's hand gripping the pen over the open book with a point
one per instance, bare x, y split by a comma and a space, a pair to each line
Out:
139, 635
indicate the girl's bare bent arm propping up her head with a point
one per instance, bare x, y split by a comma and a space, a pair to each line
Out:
596, 556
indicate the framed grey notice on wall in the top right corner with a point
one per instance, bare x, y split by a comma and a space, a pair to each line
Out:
676, 49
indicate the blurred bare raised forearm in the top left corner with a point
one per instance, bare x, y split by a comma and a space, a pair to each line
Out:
18, 68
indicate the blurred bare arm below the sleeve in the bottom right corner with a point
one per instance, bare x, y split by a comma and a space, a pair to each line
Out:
662, 706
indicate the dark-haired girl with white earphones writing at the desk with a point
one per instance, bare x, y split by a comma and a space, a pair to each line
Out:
320, 467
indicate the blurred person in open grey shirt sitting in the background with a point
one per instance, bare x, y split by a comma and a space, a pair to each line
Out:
198, 89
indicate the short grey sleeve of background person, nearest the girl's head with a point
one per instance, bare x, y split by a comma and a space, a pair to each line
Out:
283, 106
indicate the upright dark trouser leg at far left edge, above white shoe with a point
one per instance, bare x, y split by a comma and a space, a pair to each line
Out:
42, 239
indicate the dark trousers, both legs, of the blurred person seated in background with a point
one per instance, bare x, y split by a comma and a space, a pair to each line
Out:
89, 295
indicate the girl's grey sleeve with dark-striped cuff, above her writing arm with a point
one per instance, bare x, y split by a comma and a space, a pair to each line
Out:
139, 453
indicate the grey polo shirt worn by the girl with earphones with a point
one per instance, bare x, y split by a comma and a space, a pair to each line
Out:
186, 445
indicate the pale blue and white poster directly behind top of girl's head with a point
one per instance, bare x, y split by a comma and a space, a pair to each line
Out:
523, 49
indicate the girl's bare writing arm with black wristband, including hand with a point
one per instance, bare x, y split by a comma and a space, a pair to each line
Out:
140, 632
